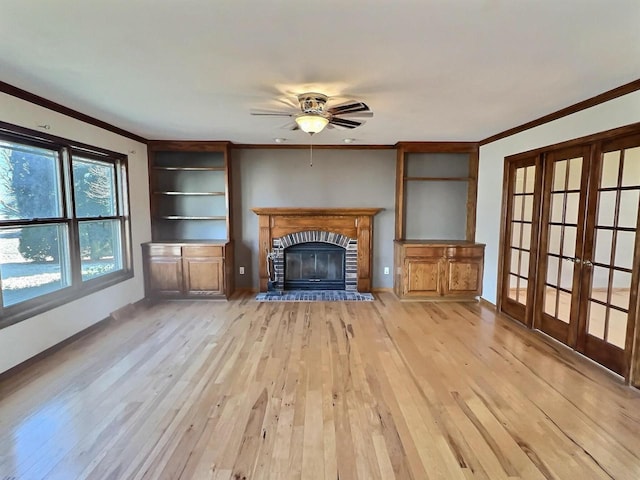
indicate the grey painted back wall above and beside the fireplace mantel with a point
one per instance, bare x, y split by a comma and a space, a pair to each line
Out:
338, 178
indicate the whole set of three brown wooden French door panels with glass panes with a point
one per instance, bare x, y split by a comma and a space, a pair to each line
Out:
570, 268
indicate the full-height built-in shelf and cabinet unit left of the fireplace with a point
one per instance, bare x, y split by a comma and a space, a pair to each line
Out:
191, 254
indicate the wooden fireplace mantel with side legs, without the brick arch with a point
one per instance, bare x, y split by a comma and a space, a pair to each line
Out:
351, 222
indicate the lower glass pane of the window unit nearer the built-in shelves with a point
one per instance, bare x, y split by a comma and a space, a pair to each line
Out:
100, 247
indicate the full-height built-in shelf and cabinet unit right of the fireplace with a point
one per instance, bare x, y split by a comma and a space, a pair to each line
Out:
435, 255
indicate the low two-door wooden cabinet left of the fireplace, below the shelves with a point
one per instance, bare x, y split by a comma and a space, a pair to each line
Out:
181, 270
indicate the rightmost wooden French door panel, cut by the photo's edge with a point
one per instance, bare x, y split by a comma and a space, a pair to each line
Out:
611, 258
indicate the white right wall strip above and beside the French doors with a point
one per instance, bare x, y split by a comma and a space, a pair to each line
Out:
615, 113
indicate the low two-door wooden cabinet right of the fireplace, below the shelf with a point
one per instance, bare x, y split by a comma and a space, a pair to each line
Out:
433, 269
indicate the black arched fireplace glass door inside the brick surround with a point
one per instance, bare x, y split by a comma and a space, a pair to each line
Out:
314, 266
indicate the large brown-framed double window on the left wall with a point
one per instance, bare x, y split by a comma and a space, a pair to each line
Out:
64, 222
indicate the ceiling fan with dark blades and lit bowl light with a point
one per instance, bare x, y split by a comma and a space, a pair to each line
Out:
314, 115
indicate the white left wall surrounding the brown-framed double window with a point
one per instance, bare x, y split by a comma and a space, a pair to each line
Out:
23, 340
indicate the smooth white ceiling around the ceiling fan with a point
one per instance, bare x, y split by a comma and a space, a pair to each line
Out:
429, 69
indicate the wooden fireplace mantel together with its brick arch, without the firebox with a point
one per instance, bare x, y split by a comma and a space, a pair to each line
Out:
351, 228
